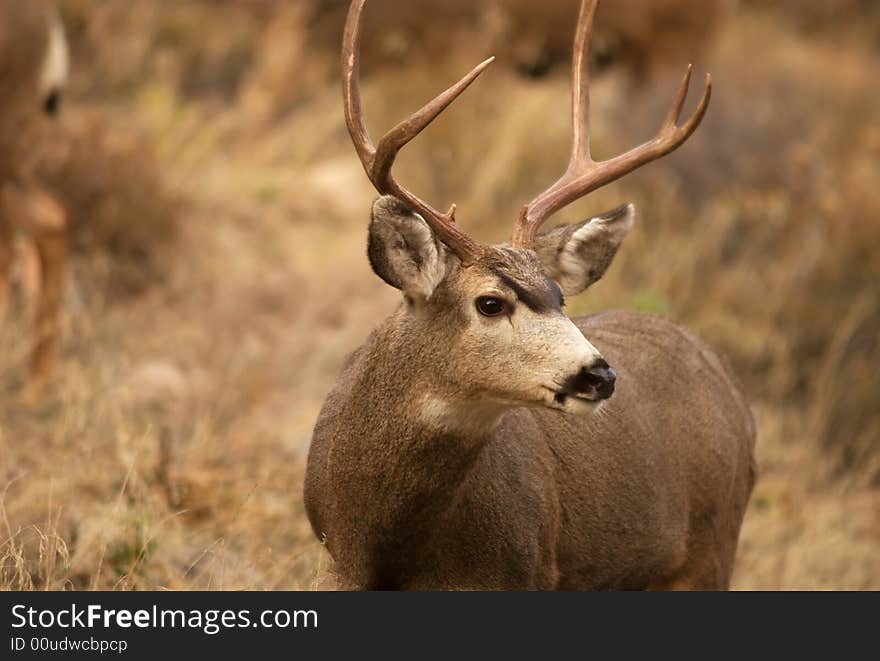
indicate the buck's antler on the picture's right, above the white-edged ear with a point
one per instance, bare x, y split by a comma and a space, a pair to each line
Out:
584, 174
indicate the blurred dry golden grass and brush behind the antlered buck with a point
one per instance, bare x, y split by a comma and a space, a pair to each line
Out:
219, 274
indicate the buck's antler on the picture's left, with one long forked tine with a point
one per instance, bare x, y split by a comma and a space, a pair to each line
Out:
378, 160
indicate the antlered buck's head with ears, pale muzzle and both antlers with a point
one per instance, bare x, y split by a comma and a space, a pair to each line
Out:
490, 317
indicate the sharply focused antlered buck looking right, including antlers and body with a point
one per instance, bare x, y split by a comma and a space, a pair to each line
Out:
481, 439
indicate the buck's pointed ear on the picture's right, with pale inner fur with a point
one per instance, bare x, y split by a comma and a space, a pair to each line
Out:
576, 256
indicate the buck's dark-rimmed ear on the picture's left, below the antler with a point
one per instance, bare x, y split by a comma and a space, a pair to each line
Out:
403, 250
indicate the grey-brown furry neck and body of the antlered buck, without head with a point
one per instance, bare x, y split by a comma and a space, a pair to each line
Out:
647, 492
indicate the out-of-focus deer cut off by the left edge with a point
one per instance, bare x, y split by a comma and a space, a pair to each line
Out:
33, 70
